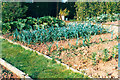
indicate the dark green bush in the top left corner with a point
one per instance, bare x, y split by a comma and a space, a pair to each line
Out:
12, 10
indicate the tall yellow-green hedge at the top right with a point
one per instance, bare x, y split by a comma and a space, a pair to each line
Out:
91, 9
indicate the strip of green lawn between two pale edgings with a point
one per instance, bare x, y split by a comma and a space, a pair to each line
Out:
36, 66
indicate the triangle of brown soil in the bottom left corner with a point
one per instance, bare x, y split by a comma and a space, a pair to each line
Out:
6, 74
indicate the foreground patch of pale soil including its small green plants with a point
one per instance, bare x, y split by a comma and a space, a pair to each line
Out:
95, 55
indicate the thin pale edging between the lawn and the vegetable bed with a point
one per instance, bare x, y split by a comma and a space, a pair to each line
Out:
74, 70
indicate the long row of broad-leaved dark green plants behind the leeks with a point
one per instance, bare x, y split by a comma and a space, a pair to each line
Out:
32, 23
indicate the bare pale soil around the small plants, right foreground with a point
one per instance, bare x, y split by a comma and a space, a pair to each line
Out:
79, 61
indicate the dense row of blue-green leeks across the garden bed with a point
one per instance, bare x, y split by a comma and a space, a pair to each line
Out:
73, 30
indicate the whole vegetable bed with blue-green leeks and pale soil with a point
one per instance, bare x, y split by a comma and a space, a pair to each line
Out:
81, 46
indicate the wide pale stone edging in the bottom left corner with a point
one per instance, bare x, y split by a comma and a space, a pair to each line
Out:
13, 69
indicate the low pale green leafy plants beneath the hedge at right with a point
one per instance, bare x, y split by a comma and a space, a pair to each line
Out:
105, 18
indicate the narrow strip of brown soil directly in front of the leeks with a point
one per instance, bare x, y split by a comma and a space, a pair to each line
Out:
64, 44
